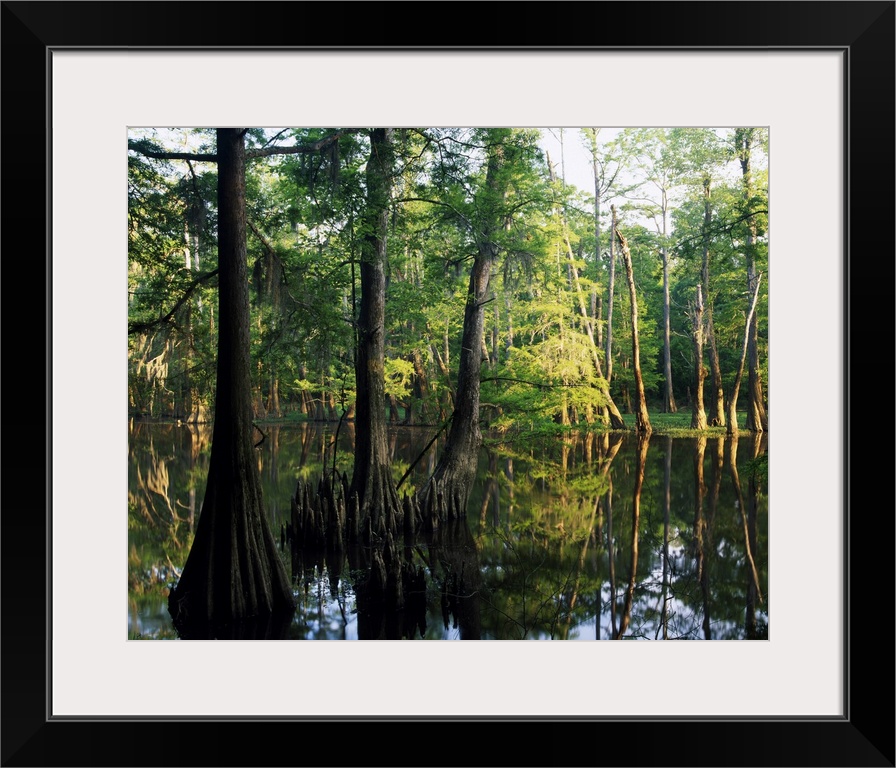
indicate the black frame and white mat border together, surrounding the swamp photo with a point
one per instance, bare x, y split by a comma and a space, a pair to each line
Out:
817, 75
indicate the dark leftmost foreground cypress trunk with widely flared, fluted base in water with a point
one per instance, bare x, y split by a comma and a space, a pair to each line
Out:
233, 572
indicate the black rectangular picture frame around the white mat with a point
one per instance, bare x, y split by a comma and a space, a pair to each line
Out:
863, 737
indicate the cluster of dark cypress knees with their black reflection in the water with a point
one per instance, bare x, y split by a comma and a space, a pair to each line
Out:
328, 526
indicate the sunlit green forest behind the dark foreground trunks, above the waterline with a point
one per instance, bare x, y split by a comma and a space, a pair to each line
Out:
556, 345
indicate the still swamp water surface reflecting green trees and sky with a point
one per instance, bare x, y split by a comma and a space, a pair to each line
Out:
584, 538
